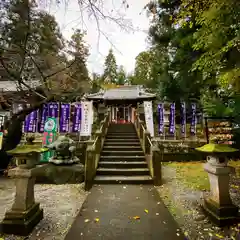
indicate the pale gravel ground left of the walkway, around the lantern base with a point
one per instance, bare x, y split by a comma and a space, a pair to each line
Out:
60, 203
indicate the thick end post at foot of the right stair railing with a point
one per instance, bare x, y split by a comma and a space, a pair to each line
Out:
157, 166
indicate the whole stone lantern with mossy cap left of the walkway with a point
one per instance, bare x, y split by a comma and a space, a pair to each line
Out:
25, 213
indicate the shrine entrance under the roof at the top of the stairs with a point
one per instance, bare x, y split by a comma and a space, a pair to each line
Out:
122, 114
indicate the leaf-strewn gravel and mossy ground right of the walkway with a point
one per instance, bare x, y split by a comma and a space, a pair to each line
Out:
184, 186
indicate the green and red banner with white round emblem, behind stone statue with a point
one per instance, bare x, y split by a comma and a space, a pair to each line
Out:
49, 135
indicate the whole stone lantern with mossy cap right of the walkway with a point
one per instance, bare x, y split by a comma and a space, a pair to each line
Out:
218, 206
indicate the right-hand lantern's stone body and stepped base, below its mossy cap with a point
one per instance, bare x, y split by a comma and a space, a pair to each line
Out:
218, 206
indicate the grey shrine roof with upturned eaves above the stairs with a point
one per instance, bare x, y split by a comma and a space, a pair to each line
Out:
122, 92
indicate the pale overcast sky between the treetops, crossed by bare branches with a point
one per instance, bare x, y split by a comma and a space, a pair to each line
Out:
126, 45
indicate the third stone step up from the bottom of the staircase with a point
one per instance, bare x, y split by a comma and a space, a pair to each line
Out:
122, 164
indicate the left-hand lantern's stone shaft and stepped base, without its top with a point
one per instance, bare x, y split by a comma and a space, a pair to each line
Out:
25, 214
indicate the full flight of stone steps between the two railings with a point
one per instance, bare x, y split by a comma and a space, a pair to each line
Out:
122, 158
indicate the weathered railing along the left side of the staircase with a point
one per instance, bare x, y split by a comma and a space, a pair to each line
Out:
94, 147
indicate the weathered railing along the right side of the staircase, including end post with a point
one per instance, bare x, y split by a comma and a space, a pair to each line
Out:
151, 150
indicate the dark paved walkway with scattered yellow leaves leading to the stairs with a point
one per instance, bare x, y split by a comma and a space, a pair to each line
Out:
109, 211
